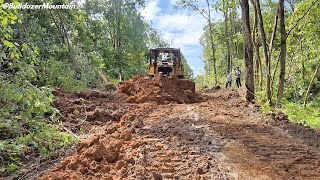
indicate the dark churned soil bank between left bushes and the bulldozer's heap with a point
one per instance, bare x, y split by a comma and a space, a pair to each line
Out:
84, 111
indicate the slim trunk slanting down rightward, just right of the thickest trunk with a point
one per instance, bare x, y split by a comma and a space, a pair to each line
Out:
265, 50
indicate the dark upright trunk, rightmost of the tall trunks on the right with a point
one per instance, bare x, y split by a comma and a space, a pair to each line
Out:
283, 52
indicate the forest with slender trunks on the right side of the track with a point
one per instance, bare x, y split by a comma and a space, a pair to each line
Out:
281, 56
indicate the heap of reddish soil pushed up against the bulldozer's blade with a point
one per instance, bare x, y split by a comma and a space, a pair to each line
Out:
162, 90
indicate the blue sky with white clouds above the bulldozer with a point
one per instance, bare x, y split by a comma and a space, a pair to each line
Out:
182, 28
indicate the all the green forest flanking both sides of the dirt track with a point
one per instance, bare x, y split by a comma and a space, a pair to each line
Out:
104, 42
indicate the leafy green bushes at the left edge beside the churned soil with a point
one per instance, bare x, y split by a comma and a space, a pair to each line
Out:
25, 109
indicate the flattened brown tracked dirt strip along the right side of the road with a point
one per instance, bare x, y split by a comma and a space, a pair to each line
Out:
257, 149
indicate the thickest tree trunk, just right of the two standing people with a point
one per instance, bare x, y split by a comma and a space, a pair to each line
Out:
248, 52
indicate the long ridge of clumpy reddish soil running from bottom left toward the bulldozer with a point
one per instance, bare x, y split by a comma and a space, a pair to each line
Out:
110, 153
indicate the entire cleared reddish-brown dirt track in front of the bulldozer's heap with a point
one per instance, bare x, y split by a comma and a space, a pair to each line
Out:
221, 137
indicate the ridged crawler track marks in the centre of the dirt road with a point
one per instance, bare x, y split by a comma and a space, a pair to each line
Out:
180, 146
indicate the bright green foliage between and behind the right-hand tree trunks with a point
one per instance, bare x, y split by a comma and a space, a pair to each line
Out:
302, 56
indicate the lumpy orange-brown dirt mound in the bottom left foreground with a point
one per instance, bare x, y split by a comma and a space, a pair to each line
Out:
103, 156
